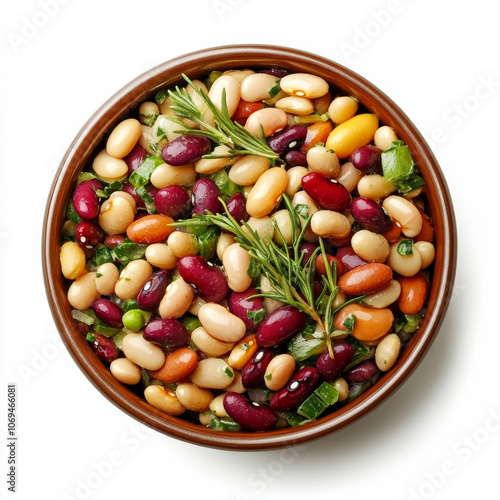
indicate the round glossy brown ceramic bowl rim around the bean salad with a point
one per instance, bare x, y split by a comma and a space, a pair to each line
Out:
194, 65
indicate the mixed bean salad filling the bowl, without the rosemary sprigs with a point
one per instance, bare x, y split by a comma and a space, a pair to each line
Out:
177, 313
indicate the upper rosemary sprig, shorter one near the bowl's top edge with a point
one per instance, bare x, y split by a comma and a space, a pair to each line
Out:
237, 138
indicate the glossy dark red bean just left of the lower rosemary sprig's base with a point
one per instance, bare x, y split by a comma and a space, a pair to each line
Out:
280, 325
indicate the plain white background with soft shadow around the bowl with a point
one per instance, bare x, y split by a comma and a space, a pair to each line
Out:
438, 436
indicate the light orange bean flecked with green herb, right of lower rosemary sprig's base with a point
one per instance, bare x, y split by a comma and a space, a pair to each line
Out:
371, 324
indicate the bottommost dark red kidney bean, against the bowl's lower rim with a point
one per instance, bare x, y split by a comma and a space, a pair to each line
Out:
251, 416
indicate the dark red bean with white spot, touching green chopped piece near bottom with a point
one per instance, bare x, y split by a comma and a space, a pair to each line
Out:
300, 386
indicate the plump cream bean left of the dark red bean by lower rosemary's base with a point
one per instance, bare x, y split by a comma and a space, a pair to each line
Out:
220, 323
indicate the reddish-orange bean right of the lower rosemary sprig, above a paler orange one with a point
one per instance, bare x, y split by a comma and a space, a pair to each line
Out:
367, 278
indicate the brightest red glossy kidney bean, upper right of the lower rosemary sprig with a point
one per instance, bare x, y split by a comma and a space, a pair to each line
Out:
326, 192
